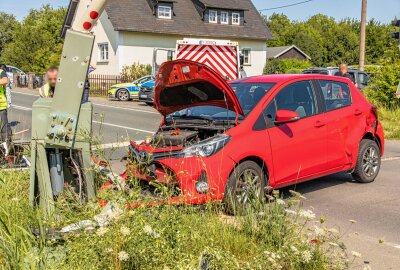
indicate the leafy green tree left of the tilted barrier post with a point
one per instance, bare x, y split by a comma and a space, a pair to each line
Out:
36, 42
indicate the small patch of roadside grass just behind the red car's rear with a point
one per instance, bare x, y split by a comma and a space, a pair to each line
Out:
390, 120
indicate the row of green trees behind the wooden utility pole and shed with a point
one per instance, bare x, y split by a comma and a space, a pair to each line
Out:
329, 42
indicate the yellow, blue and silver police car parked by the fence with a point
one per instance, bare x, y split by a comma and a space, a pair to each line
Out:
128, 91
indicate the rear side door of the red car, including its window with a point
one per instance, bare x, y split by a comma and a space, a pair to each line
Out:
341, 119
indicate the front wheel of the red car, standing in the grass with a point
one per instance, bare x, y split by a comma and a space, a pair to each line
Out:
245, 187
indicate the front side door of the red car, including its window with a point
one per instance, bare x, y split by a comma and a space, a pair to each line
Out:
299, 148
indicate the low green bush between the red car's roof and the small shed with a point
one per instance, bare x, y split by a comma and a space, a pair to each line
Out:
285, 66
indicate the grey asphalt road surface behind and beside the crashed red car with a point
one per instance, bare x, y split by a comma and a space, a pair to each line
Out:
375, 207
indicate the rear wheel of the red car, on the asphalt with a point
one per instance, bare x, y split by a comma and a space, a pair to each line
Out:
368, 162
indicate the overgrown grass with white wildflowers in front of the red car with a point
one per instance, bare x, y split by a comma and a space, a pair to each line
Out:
276, 235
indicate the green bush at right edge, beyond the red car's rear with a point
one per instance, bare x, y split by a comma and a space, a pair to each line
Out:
382, 90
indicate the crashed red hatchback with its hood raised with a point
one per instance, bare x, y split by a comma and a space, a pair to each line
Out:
237, 140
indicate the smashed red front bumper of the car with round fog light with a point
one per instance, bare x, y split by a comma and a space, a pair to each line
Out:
198, 180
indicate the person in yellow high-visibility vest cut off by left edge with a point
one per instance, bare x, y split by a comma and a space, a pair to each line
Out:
5, 131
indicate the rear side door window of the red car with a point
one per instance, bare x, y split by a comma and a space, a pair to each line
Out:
336, 94
